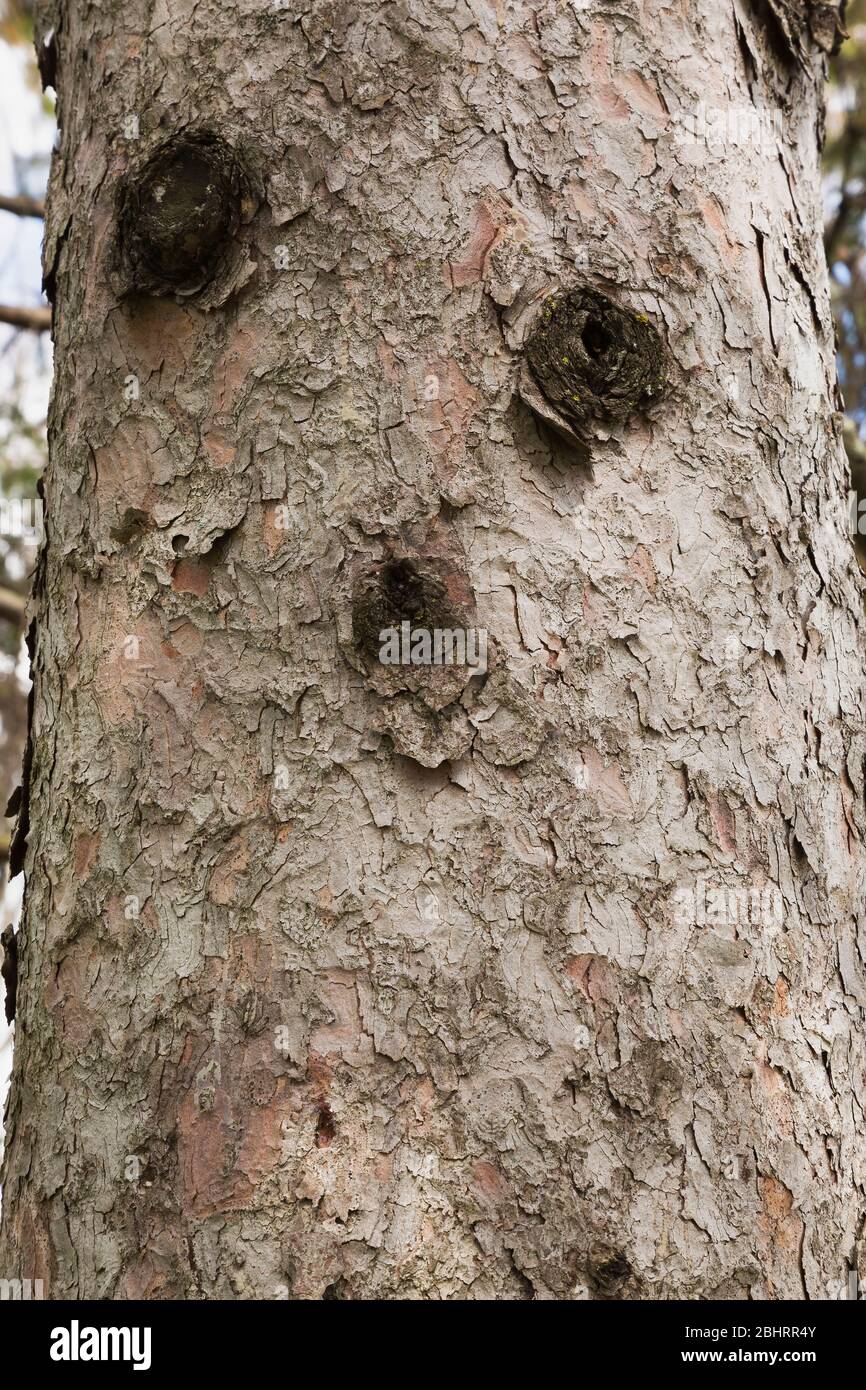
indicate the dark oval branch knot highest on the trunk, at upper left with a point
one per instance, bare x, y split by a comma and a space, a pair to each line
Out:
180, 215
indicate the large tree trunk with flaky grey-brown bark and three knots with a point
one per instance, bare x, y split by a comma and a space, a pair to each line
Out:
348, 981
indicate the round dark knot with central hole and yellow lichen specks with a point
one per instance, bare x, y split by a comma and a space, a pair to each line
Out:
594, 361
